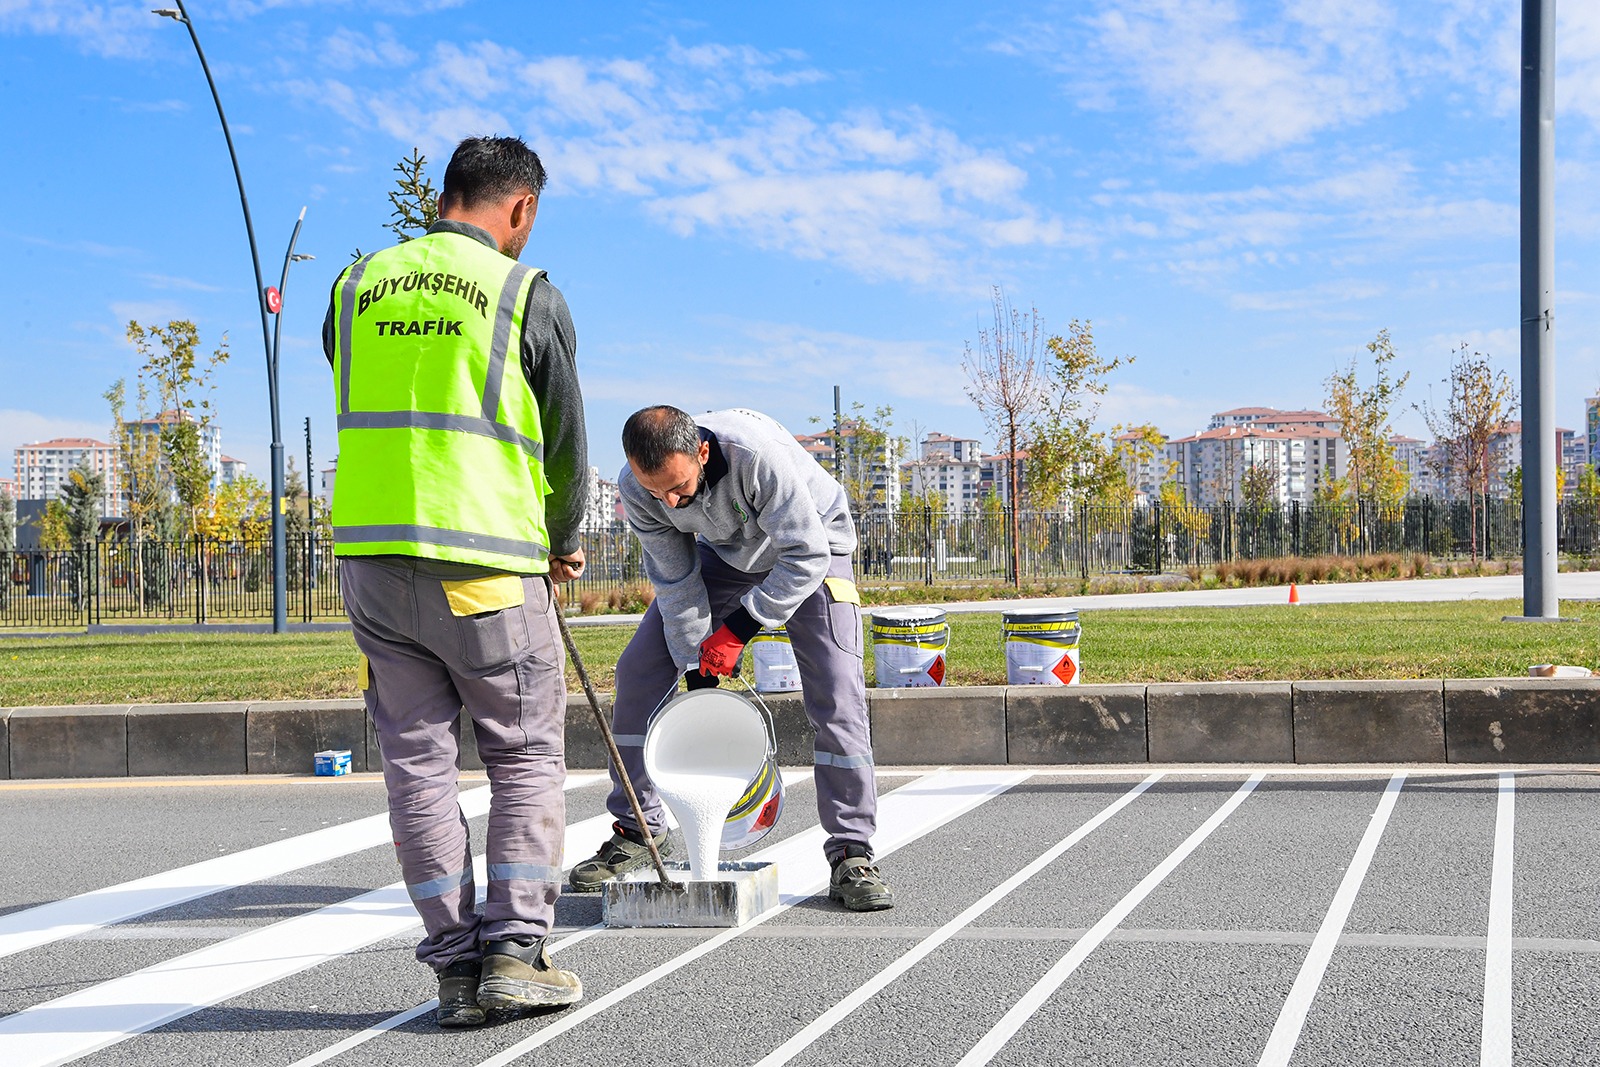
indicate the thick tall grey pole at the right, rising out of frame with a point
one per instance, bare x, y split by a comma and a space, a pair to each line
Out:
1540, 455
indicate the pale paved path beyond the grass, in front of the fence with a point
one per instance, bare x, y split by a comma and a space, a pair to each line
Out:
1569, 586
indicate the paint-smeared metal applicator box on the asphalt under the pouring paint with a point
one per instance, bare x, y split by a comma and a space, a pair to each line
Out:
738, 895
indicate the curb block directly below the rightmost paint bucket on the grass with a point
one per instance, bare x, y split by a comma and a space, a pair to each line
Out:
1076, 724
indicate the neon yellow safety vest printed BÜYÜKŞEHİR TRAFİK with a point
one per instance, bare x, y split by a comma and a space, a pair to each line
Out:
441, 455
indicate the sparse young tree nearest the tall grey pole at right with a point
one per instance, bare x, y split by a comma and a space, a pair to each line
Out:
1479, 401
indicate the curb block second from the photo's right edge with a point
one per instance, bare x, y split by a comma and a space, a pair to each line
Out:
1370, 722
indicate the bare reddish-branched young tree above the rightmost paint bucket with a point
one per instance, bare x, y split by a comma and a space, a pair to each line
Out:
1006, 380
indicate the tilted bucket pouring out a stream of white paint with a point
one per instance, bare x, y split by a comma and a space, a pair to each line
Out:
713, 757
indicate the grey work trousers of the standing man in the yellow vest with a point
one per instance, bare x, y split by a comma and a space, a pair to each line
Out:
506, 668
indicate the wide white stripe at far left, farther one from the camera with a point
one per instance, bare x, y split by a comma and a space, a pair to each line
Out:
90, 911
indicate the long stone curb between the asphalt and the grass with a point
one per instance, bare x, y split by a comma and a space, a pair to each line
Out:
1462, 721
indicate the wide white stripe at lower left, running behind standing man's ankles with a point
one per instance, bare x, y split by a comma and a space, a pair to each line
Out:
113, 1012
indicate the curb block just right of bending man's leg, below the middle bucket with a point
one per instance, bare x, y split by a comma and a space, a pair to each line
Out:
935, 725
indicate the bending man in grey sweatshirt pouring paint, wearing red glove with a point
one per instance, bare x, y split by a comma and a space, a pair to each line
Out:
742, 529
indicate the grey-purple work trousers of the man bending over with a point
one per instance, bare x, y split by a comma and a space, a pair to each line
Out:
826, 639
